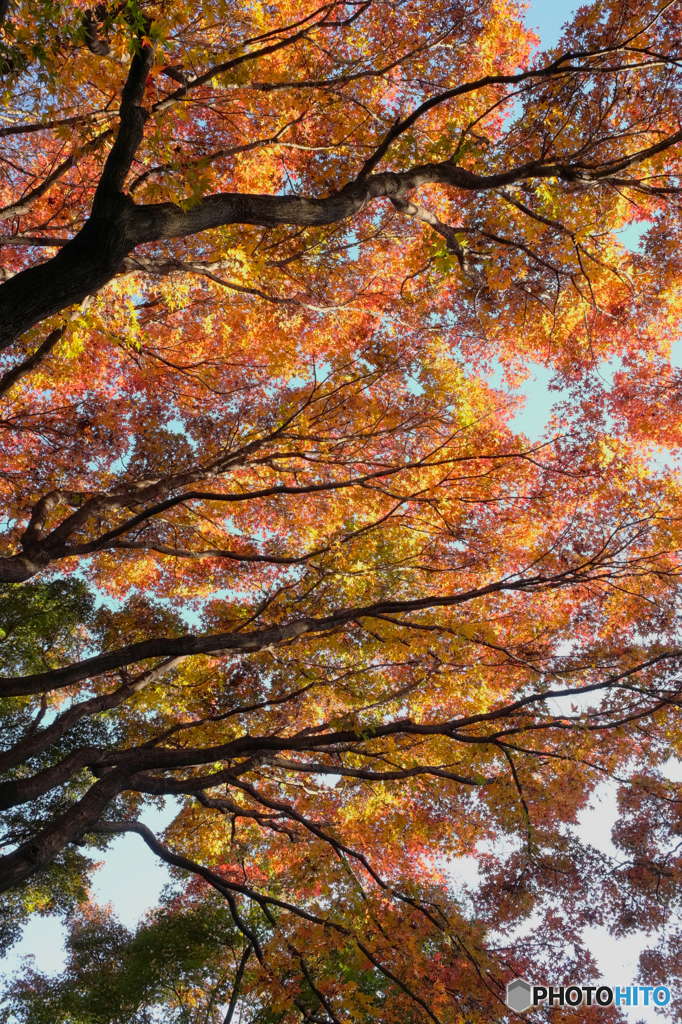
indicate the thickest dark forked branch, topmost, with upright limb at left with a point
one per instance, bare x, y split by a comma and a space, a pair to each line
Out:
117, 226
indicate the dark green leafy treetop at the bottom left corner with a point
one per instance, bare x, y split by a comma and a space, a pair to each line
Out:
184, 956
